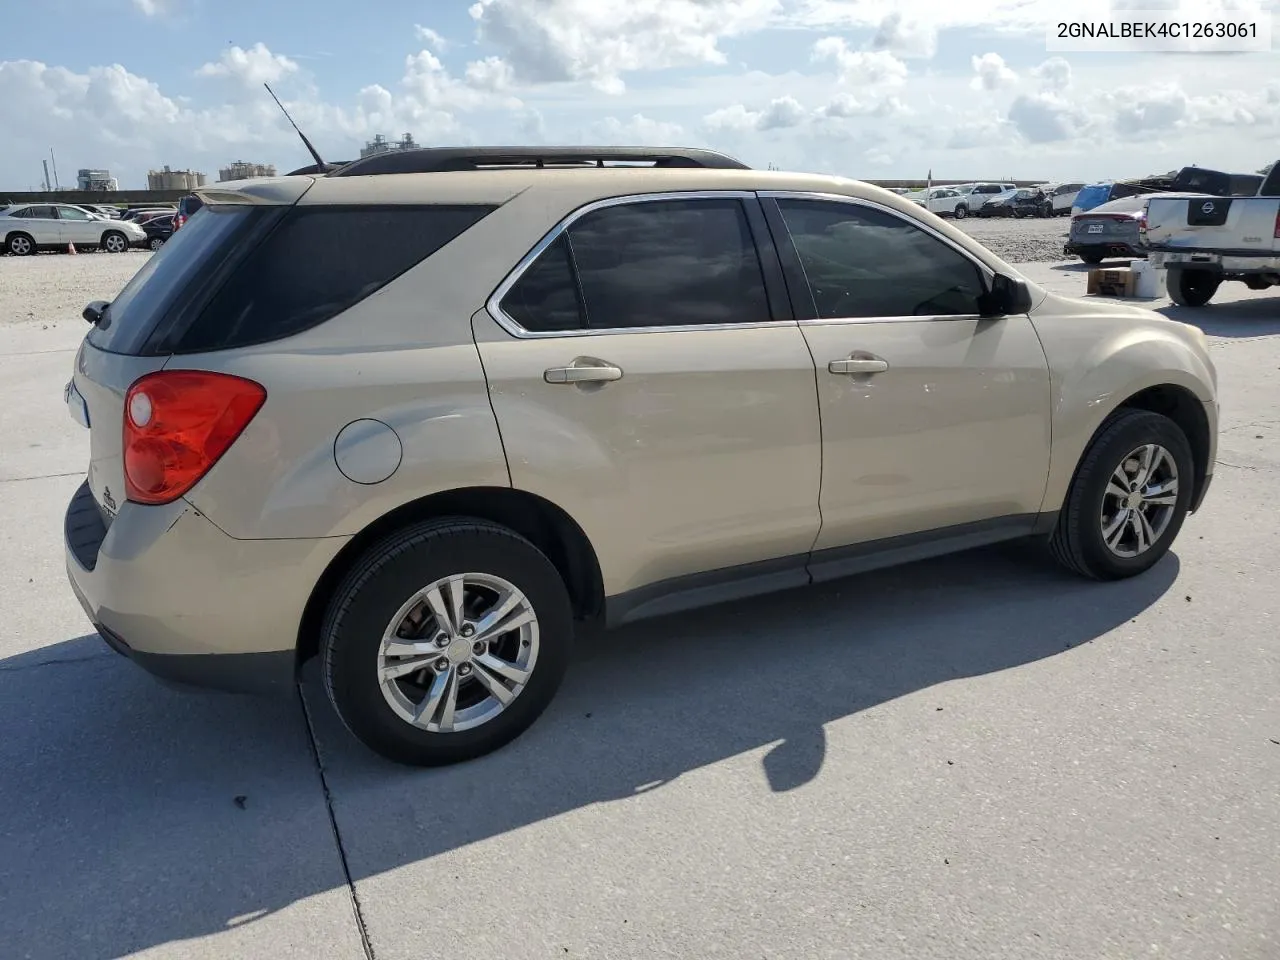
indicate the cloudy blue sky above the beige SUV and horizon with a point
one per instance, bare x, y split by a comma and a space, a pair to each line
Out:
857, 88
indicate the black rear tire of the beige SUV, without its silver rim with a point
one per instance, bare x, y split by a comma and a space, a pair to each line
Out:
388, 575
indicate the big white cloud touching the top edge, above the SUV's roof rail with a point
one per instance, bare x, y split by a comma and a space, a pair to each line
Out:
597, 42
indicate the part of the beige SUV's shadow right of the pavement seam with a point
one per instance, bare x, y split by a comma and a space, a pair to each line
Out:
656, 701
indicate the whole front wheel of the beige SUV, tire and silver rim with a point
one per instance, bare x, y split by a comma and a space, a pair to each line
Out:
1128, 499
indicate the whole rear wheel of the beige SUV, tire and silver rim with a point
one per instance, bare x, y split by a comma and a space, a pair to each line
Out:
447, 642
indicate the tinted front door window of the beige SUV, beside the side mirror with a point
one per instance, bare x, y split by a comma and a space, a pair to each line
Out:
866, 263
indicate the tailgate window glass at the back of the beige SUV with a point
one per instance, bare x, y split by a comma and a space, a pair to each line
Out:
145, 300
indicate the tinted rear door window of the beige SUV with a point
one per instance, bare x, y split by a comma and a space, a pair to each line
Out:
669, 263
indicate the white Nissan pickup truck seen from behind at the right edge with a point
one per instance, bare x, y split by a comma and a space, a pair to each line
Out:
1204, 241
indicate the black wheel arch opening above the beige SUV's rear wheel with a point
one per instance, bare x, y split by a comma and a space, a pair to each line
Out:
538, 520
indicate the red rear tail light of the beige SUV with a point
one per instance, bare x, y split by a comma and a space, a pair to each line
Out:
177, 424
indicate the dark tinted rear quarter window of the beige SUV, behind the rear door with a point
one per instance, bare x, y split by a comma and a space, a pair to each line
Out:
318, 263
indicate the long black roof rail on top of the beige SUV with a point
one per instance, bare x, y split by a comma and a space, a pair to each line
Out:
447, 159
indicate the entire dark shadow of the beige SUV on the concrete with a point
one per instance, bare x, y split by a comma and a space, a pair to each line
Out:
136, 816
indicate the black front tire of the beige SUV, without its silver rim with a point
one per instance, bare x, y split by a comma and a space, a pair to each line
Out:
1077, 542
